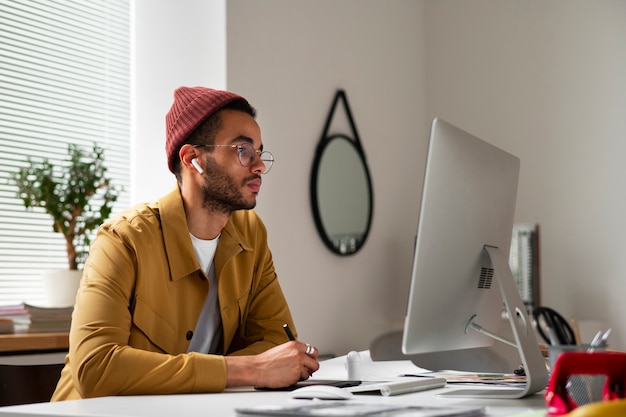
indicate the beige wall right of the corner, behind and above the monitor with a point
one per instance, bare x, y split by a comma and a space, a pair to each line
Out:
545, 81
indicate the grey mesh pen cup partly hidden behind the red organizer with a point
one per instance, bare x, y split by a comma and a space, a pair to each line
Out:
583, 389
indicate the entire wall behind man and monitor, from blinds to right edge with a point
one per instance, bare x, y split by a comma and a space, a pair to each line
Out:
543, 80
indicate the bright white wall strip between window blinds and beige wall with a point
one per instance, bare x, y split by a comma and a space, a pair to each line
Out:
175, 43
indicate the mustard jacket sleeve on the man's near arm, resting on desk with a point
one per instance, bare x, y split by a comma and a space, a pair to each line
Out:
108, 354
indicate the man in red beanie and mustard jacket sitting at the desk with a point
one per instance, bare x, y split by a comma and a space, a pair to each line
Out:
181, 295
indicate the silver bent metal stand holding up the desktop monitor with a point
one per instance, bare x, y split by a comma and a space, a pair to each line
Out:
525, 340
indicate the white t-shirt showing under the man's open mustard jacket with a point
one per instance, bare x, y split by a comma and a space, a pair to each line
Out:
207, 337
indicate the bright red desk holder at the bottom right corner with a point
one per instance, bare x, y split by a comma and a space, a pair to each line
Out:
570, 376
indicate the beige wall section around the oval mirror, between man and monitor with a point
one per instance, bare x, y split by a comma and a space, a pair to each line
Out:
289, 58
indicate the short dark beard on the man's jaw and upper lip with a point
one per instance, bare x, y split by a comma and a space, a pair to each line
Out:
220, 192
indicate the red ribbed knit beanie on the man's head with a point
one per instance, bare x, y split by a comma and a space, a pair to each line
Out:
192, 105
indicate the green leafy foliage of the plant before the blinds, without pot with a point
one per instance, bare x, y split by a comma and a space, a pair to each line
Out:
77, 193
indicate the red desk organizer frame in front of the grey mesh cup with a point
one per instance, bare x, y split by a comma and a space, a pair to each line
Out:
610, 364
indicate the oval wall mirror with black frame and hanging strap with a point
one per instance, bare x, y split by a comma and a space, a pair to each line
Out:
341, 188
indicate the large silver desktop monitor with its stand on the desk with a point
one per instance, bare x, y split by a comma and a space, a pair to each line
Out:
461, 278
